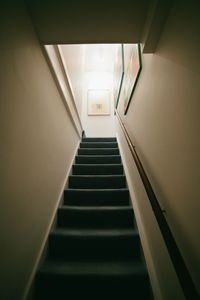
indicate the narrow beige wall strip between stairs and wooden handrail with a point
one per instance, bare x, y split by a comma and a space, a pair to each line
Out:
163, 278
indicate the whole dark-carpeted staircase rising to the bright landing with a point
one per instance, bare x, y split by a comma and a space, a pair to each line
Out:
94, 251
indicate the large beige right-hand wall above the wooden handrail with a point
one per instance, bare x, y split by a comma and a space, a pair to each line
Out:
163, 121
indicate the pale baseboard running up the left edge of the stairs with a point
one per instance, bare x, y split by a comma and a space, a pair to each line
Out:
29, 292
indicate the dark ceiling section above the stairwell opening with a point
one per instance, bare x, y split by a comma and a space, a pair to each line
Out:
68, 22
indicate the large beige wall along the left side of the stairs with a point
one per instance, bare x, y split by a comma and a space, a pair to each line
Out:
37, 143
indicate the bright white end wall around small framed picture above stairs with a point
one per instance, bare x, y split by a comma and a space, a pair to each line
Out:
98, 75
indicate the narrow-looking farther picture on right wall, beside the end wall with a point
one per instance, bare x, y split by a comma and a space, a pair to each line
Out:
118, 73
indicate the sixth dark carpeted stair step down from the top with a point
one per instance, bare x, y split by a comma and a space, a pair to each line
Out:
97, 181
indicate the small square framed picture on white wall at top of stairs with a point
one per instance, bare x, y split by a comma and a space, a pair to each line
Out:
98, 102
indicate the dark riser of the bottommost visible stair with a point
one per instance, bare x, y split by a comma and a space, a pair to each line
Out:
79, 287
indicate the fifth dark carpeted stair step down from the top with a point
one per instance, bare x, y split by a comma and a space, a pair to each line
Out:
95, 169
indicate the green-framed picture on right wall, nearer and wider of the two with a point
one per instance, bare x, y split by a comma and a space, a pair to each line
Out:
132, 72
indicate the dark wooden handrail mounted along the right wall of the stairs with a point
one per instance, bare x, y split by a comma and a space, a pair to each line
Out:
189, 290
